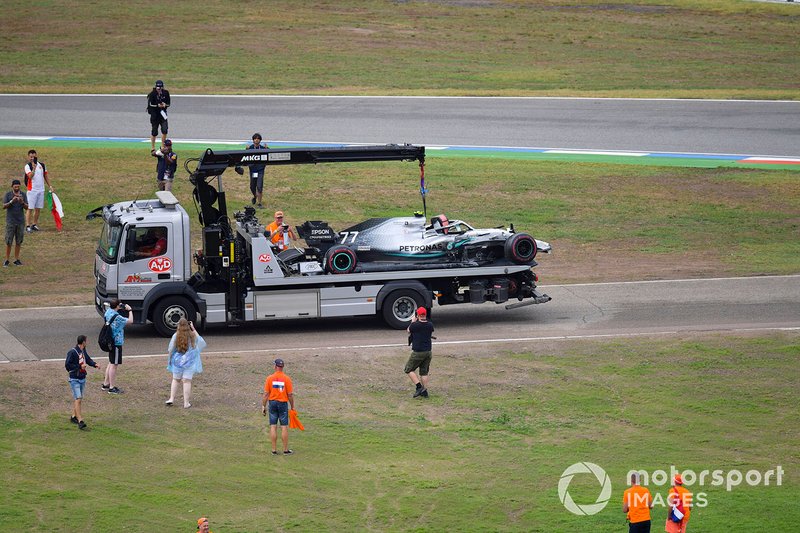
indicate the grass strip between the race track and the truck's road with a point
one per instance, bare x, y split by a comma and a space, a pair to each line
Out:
606, 222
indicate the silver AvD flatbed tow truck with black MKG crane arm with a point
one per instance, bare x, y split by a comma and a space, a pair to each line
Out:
144, 258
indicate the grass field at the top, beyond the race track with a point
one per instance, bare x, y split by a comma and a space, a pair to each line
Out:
674, 48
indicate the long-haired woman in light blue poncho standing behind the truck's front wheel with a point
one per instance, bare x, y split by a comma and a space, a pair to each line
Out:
184, 360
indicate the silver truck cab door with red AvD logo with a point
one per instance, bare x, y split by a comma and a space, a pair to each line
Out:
150, 256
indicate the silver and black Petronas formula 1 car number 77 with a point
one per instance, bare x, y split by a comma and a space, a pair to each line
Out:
409, 243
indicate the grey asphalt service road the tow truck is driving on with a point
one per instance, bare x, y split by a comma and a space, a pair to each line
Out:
648, 308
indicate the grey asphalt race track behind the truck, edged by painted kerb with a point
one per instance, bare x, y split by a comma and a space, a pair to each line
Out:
641, 125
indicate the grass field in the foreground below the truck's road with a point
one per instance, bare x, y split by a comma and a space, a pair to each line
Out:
485, 453
